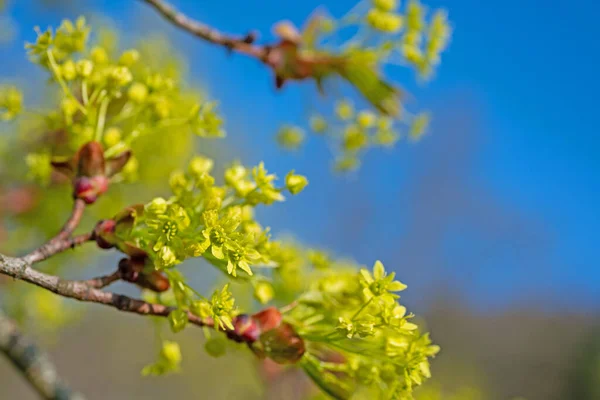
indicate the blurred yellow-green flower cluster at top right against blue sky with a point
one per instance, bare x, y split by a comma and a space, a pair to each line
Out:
384, 35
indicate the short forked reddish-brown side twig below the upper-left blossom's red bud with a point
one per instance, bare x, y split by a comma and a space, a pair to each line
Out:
62, 240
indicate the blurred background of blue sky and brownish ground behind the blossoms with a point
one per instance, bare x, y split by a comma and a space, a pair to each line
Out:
491, 219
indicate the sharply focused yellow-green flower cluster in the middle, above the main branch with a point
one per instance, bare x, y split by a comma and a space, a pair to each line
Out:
203, 219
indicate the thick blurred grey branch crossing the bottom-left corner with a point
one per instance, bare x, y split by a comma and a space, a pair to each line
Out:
33, 363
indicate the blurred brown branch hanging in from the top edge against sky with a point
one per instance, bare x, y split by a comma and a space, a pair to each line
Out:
241, 44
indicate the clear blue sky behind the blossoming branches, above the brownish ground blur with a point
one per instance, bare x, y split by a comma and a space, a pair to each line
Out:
498, 204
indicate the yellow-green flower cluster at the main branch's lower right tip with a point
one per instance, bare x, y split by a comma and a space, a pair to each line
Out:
360, 341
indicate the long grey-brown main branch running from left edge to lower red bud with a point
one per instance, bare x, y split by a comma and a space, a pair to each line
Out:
20, 269
